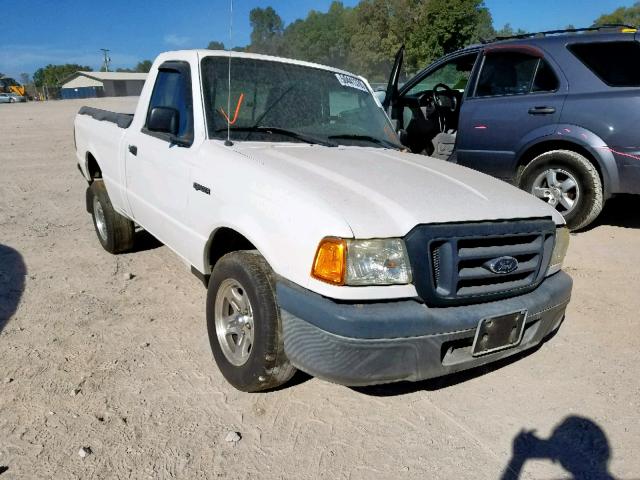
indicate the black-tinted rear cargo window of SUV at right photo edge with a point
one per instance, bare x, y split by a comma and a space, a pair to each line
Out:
615, 63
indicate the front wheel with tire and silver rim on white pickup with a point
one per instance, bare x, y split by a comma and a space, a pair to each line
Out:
243, 322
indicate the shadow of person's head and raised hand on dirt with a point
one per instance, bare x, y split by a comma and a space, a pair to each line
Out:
578, 444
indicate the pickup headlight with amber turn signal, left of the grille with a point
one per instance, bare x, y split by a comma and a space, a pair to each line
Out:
362, 262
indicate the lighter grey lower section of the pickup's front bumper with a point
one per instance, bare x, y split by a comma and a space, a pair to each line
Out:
359, 362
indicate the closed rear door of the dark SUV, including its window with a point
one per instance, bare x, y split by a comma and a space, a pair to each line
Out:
517, 94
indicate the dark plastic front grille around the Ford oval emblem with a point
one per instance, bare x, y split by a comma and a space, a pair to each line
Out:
451, 261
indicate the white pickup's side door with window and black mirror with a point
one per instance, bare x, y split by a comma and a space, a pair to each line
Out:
158, 156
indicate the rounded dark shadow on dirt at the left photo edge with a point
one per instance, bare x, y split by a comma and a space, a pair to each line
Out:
12, 273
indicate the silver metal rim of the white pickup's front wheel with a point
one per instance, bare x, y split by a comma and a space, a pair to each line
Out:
234, 322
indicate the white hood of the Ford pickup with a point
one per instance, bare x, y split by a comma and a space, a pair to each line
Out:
385, 193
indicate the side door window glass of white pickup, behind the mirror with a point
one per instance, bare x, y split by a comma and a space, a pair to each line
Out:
173, 89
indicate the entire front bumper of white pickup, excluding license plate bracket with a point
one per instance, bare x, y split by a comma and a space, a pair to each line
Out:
371, 343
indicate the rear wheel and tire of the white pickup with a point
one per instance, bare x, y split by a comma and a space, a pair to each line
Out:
115, 232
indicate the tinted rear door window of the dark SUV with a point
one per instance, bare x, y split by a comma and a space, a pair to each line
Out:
514, 73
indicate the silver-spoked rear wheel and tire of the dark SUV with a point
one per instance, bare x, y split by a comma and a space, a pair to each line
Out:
568, 182
